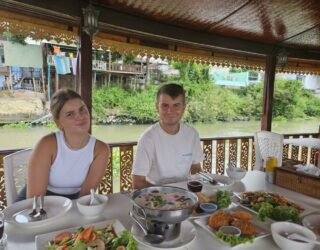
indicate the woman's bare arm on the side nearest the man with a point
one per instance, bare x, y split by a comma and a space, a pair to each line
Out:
98, 167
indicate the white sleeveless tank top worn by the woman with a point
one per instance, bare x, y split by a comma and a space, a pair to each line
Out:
70, 168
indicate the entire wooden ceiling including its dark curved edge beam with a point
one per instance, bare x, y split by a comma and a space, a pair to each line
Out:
255, 27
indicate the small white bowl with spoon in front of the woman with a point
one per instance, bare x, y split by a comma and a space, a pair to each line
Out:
93, 210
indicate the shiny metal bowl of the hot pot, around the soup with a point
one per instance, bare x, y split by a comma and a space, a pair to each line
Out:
171, 216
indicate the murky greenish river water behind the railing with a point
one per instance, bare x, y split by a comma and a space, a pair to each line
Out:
11, 138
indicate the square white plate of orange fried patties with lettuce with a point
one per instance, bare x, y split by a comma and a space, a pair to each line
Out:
237, 217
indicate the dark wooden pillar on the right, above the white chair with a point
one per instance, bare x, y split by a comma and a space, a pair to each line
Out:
268, 93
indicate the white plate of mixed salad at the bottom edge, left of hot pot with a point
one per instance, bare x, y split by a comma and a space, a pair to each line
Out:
108, 234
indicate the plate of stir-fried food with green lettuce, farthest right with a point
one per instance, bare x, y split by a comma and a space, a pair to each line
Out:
270, 205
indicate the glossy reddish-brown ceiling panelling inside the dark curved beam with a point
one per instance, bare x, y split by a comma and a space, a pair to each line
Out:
284, 23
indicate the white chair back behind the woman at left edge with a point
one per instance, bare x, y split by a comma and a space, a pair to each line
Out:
15, 167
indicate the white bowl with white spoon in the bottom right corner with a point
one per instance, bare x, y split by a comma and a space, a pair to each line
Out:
280, 229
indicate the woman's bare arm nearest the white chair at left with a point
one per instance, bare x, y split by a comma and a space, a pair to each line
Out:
40, 162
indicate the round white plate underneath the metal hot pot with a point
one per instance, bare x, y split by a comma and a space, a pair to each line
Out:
187, 235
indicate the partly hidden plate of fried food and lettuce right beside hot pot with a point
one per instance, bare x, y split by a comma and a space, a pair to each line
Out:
221, 198
